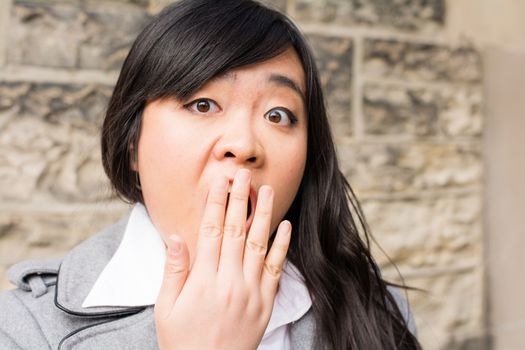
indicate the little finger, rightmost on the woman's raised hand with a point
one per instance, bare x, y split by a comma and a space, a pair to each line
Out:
274, 262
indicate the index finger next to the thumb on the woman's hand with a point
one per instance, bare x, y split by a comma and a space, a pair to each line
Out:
210, 232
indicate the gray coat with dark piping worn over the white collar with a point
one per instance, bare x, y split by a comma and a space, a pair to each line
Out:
45, 311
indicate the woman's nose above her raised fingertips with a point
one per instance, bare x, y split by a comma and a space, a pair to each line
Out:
239, 142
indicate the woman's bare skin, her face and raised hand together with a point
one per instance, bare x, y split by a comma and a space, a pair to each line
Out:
219, 285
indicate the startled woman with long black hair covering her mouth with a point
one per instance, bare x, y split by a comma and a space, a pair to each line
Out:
241, 236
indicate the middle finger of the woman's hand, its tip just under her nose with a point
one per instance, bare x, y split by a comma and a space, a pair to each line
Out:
232, 247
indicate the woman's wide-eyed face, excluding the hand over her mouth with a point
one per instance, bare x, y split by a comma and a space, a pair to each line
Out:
253, 117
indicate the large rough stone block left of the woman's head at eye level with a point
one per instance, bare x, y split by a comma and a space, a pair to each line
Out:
49, 144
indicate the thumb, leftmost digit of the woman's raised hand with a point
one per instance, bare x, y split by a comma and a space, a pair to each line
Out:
175, 274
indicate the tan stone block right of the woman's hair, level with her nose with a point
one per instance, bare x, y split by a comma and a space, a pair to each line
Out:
382, 168
